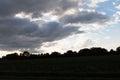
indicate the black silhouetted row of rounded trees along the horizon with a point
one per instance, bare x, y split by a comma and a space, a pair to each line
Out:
95, 51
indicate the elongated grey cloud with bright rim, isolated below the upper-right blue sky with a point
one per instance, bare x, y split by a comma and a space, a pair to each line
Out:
85, 17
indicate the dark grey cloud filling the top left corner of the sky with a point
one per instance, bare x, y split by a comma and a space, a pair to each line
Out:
11, 7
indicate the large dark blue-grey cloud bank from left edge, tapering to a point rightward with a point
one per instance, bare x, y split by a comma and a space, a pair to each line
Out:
18, 33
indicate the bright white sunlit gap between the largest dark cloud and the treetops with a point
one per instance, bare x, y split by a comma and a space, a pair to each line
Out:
74, 42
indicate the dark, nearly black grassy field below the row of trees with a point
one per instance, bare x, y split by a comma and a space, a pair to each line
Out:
67, 68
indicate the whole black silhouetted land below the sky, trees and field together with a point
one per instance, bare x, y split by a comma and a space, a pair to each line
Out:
86, 64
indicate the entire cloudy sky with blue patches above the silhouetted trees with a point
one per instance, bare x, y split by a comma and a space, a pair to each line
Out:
41, 26
